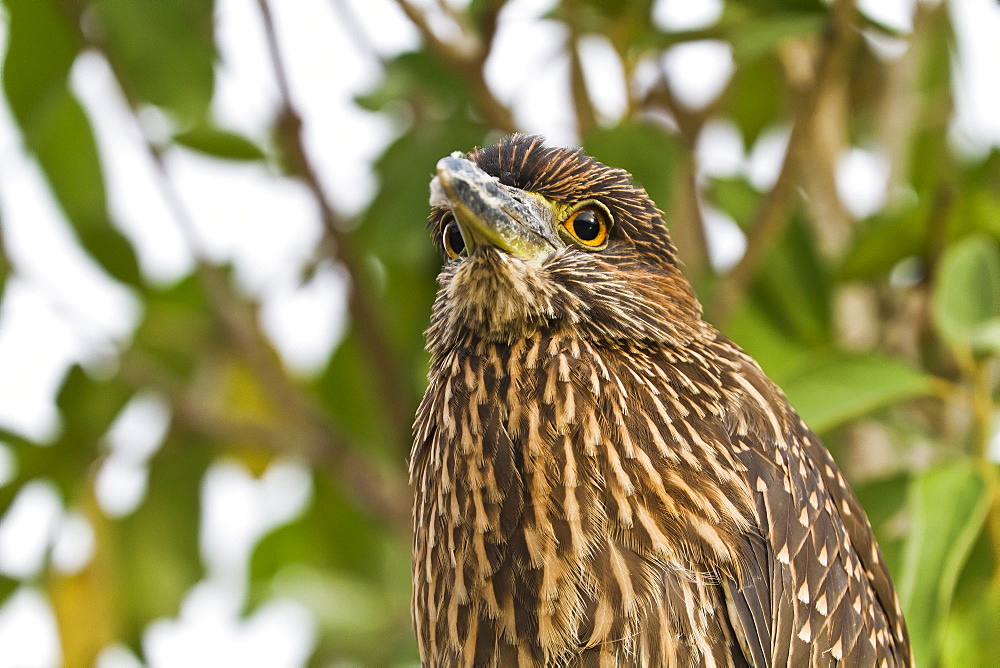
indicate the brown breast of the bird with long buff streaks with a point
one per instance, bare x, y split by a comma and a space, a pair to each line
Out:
557, 507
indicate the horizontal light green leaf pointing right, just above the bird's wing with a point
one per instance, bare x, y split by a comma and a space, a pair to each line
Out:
833, 388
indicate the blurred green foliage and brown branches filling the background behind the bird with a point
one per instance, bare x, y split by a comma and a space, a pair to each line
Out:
884, 331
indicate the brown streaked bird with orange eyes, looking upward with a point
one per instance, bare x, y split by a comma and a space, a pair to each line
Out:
600, 477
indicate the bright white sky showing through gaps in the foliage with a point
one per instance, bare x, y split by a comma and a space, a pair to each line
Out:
64, 310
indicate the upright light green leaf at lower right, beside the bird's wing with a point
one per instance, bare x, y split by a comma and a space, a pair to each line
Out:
948, 505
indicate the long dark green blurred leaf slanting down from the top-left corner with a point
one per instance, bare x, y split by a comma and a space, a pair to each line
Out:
56, 129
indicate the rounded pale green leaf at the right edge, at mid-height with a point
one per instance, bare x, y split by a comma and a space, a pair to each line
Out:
967, 290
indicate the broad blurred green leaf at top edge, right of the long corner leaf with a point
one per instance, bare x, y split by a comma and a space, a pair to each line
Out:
164, 50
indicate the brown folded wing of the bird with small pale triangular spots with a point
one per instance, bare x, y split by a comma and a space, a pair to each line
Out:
831, 596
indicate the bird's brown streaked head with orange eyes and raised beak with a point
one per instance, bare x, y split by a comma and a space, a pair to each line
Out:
541, 239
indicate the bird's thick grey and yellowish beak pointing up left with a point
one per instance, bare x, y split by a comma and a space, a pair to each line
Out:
492, 214
